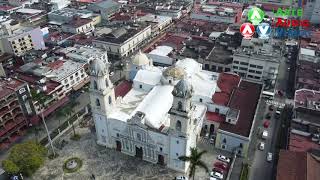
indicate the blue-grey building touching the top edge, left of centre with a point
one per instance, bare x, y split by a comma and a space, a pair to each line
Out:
105, 8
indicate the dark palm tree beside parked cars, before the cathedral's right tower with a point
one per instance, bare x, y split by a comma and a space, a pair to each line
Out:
195, 161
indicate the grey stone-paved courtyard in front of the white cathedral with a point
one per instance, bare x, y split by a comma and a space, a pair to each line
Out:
107, 164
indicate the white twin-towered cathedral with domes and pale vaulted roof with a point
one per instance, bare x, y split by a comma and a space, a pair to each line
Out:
160, 118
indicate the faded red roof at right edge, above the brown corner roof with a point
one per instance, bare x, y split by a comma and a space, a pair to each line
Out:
299, 143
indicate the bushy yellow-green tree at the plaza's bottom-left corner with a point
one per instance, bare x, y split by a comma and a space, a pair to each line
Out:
25, 158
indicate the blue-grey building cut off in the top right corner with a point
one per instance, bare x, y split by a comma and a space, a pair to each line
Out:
311, 11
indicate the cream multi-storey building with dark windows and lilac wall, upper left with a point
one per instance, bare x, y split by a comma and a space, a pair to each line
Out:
18, 40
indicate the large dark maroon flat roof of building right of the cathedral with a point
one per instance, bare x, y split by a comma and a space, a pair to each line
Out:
245, 98
